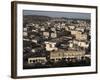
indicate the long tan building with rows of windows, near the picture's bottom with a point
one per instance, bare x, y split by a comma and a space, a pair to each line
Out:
60, 54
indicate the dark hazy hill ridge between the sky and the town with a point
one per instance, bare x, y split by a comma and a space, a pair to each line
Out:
41, 18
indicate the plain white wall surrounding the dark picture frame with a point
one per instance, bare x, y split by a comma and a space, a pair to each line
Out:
5, 40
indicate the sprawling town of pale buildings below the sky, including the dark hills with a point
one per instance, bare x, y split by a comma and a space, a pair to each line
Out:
53, 42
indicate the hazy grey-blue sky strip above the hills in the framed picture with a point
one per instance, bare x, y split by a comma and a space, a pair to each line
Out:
58, 14
